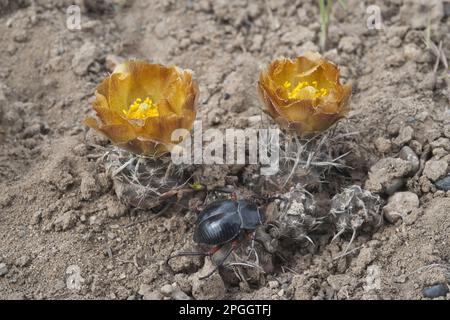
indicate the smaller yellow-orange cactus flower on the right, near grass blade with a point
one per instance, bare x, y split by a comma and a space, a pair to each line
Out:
304, 95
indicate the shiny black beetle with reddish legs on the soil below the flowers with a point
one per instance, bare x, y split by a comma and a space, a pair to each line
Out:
222, 222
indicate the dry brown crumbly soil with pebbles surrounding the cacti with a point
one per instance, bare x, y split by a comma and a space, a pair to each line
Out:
65, 235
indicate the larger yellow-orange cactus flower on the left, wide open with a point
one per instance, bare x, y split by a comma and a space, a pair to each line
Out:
141, 104
